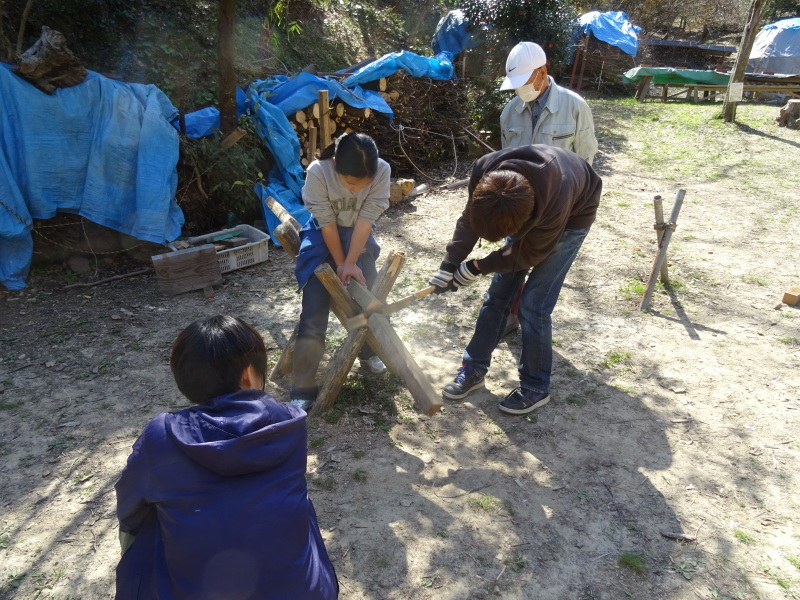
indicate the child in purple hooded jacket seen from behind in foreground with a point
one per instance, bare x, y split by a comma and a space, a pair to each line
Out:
216, 494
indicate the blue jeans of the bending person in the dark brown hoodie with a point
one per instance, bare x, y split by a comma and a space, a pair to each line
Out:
539, 297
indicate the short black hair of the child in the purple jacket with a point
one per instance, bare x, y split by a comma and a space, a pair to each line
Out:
209, 357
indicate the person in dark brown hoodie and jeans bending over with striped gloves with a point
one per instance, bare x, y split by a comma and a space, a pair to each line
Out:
543, 200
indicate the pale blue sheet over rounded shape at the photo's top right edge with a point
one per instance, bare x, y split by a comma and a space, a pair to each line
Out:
776, 48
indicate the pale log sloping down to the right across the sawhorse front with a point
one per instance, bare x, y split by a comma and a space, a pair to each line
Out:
396, 356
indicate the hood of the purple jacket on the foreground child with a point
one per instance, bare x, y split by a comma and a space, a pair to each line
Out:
240, 433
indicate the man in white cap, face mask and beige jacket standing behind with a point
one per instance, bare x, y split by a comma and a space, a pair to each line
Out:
542, 111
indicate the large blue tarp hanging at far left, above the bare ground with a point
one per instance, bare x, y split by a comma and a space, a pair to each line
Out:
102, 149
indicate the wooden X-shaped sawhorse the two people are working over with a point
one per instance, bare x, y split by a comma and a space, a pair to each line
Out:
379, 333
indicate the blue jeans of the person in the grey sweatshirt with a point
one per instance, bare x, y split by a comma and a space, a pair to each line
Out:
310, 343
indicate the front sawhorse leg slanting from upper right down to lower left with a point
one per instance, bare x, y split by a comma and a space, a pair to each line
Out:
341, 363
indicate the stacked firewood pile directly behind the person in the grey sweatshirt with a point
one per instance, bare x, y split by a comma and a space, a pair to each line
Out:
430, 118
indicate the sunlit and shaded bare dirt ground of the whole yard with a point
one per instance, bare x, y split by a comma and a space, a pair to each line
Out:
666, 465
